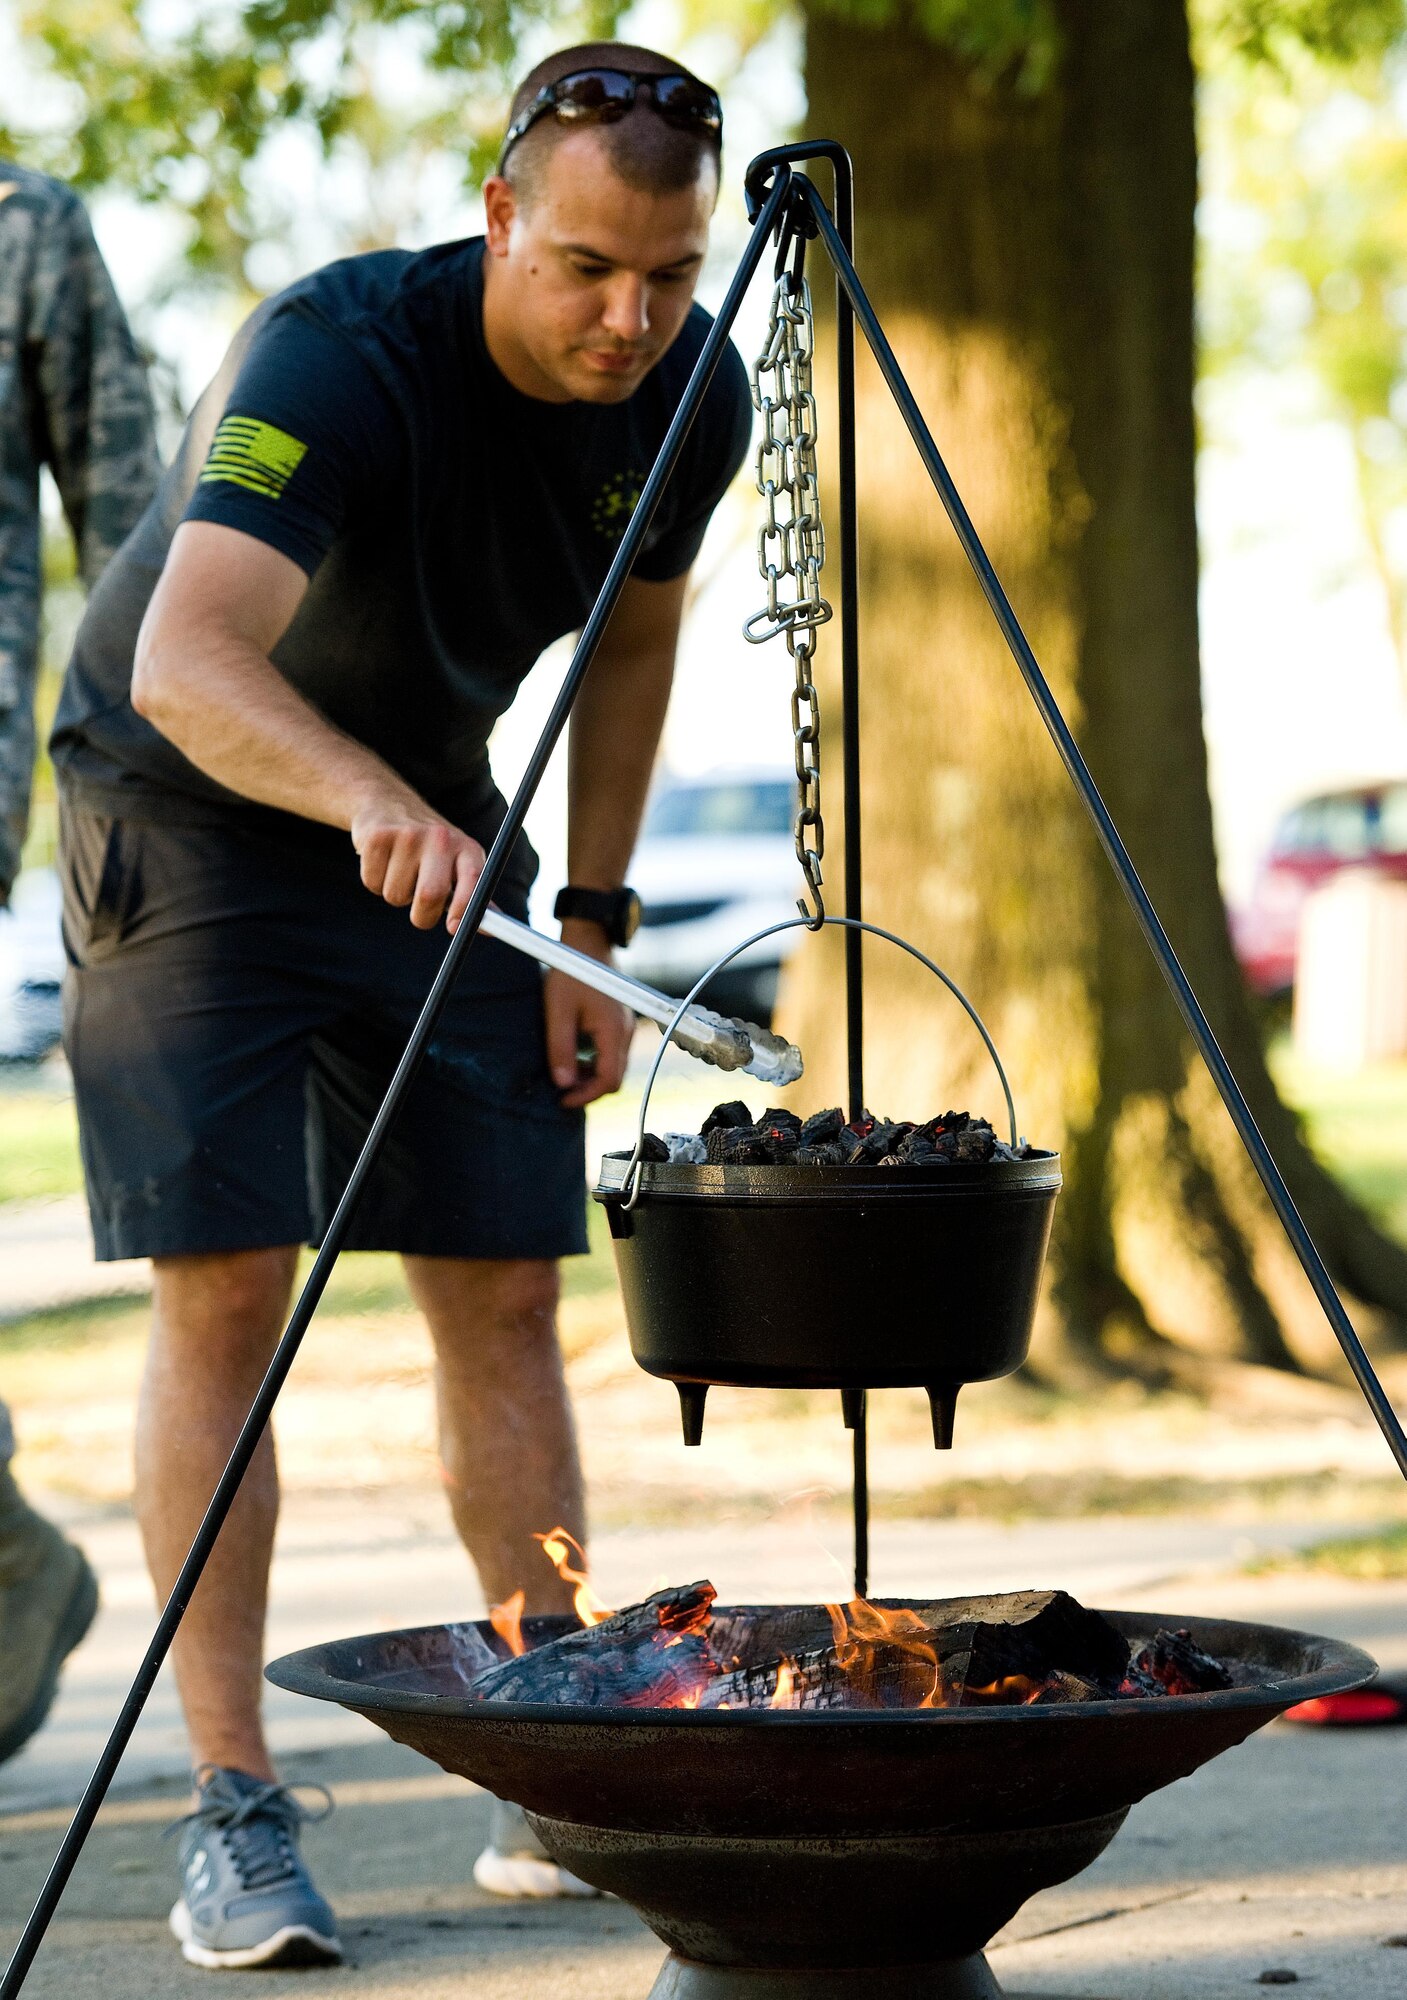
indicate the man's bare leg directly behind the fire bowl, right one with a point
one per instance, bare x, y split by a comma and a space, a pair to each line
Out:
507, 1433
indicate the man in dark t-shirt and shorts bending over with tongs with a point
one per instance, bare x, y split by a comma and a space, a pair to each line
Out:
409, 477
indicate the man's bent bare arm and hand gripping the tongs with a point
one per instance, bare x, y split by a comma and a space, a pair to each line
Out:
207, 681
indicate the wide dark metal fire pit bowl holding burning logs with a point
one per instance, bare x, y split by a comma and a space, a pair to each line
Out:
786, 1855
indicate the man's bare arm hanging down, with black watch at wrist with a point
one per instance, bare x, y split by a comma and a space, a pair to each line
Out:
613, 747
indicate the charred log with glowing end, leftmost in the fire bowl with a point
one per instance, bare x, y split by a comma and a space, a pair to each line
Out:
653, 1655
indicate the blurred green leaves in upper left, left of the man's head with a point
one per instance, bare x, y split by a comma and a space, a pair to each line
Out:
179, 107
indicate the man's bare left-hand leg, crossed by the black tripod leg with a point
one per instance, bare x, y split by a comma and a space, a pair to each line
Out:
215, 1323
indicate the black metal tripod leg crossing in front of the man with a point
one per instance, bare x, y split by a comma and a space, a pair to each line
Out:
407, 1069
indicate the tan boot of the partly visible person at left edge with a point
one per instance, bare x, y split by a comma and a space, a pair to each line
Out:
47, 1603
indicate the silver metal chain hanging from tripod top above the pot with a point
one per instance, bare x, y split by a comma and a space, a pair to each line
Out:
792, 551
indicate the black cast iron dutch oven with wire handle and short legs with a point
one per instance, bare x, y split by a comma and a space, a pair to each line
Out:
832, 1277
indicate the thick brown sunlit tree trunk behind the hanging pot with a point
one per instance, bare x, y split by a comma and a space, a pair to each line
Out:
1032, 259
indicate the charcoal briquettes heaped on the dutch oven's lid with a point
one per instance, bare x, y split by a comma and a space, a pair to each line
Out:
732, 1137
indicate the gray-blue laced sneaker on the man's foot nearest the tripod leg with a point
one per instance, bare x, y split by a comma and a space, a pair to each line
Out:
247, 1893
